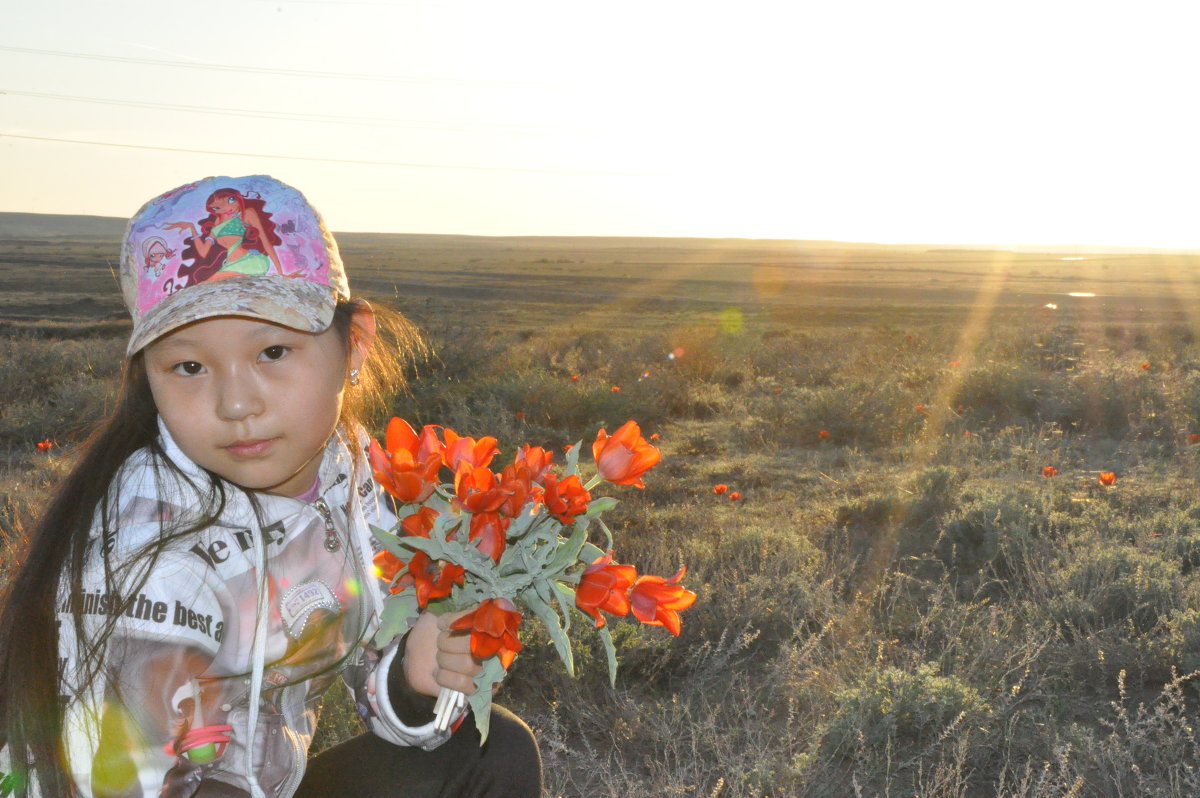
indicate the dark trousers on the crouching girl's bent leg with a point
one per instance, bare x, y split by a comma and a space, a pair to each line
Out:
507, 766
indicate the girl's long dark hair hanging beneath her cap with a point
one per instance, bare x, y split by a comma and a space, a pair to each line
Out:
53, 557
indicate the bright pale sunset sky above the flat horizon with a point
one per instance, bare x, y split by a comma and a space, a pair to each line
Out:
935, 122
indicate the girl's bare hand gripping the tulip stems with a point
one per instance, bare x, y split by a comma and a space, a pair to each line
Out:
436, 657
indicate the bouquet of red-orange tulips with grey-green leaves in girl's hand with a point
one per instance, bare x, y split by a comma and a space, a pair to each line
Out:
502, 542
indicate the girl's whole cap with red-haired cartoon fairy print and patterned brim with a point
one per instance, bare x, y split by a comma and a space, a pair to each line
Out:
230, 247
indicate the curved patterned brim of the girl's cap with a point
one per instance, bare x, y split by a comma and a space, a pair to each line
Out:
296, 304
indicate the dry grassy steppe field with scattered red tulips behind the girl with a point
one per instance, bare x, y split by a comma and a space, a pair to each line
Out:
902, 603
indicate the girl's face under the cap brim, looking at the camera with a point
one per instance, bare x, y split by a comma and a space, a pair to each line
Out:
251, 401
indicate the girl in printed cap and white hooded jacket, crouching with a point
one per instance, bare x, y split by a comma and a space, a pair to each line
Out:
206, 572
